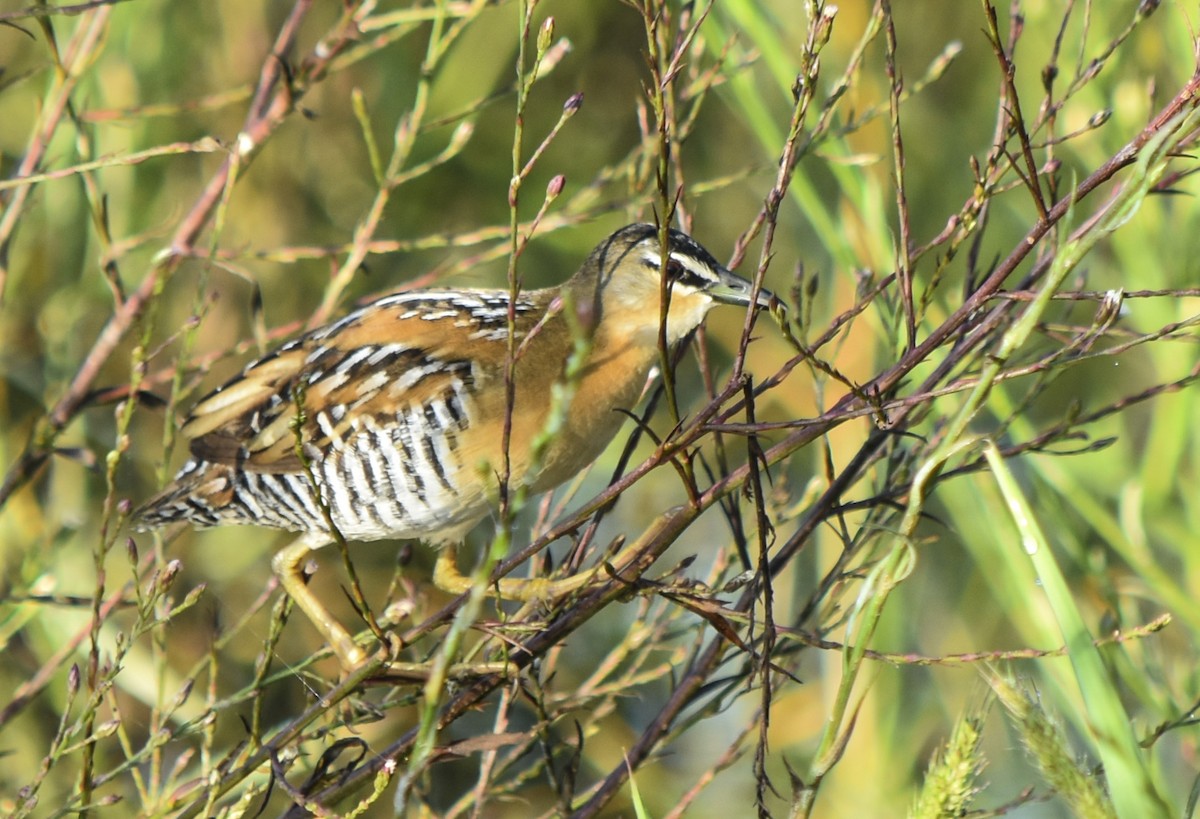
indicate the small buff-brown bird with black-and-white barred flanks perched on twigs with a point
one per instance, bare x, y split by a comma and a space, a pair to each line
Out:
389, 422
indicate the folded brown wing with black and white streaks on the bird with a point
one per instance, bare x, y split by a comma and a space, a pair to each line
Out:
370, 367
